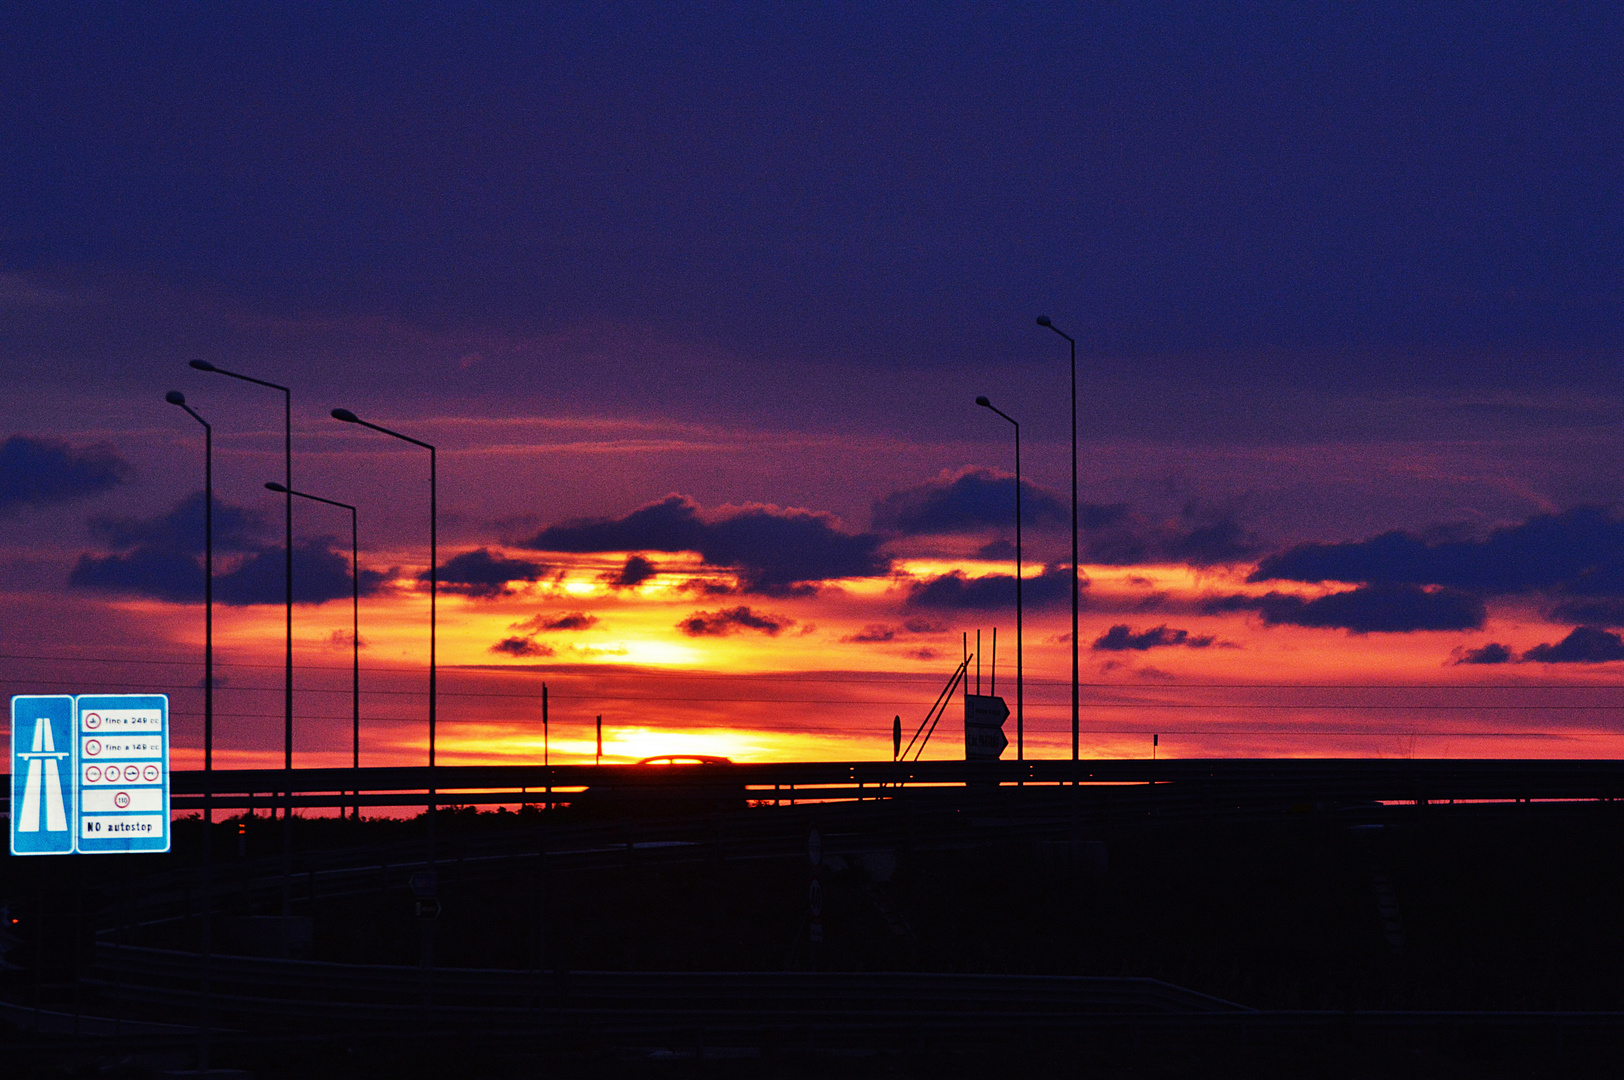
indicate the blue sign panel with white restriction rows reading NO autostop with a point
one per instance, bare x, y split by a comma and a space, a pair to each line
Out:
123, 743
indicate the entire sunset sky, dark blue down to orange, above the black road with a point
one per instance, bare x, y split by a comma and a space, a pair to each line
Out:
694, 303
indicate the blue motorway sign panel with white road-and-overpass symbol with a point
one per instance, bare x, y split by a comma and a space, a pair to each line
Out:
43, 775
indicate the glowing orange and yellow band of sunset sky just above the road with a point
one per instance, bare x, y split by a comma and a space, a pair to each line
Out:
675, 668
